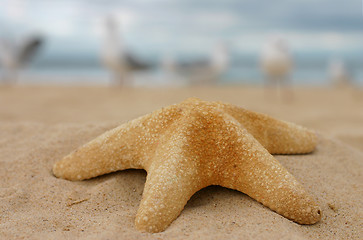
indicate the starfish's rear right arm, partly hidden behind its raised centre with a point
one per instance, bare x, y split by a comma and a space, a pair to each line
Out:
278, 137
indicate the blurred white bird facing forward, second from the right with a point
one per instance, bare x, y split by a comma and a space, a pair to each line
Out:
276, 63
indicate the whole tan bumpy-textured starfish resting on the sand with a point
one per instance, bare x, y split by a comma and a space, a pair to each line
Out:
194, 144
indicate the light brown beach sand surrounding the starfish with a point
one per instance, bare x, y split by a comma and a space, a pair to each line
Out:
40, 125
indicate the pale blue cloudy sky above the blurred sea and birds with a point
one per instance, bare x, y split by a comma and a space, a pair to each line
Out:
153, 28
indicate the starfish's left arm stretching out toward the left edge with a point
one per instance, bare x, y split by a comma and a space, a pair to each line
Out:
112, 151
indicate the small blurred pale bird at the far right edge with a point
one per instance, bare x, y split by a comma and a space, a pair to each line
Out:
338, 73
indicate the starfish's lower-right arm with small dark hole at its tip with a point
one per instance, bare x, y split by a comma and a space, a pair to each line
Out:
258, 174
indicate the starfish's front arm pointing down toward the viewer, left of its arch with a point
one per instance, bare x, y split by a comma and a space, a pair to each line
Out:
171, 180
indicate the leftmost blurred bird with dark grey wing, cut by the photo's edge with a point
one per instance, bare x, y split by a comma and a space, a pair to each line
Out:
16, 55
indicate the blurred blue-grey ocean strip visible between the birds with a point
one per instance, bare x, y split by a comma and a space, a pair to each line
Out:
241, 71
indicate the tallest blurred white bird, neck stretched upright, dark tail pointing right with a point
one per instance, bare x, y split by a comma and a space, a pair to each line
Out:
116, 57
